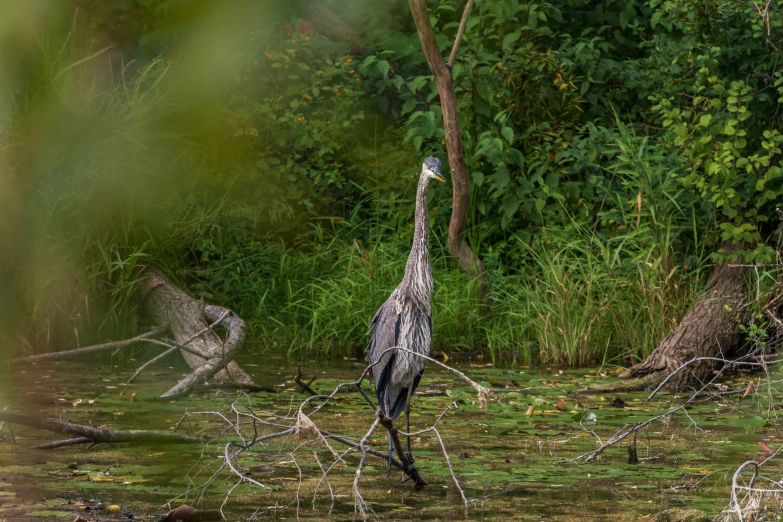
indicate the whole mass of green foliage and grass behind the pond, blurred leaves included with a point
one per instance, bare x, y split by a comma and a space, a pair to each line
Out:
269, 166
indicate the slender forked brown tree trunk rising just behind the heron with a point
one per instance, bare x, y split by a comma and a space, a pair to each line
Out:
456, 243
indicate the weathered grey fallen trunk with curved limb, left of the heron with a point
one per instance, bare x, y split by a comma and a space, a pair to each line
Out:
186, 317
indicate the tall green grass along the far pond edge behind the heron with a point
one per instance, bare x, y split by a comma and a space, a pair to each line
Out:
579, 302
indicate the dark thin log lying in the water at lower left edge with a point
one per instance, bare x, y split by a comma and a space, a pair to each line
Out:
101, 435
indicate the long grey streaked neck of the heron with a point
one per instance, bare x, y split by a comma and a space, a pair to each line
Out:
418, 273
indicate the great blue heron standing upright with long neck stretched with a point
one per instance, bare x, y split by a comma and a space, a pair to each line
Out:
405, 320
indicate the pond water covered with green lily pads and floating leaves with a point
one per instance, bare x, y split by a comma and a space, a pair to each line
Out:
515, 459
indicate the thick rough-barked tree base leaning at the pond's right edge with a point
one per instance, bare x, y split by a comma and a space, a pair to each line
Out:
709, 329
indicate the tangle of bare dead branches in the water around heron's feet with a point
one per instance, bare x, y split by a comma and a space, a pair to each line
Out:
285, 440
